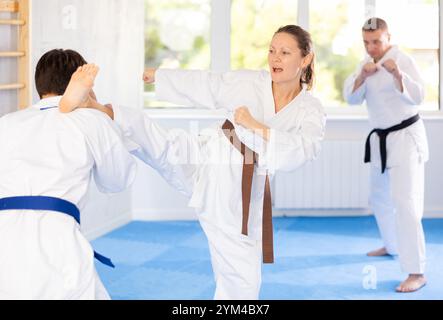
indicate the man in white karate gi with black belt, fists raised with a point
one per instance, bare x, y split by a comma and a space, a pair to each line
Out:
389, 81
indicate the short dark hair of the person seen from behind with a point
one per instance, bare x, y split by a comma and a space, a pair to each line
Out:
54, 71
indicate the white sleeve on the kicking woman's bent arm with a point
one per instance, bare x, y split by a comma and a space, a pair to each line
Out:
288, 150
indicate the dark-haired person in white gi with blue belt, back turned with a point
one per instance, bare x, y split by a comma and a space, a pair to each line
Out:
47, 160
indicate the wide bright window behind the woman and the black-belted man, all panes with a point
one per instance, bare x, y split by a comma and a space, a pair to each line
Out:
179, 33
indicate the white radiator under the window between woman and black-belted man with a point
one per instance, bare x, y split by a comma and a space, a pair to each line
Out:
337, 179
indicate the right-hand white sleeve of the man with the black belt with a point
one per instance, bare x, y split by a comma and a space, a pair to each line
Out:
413, 85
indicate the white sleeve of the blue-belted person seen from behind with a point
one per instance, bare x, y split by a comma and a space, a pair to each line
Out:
115, 168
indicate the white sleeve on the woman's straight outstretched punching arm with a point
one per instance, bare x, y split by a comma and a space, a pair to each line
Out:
202, 88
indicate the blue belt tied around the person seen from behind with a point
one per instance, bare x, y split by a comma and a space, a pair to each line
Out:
48, 204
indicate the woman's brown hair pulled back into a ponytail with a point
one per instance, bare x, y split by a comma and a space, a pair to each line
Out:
304, 41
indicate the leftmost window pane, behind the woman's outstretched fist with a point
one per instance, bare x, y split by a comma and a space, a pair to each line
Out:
177, 35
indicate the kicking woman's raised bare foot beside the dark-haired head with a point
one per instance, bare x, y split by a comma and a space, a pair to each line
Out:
79, 88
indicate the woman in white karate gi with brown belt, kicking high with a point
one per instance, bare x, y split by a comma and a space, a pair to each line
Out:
280, 120
